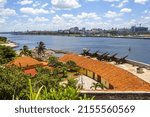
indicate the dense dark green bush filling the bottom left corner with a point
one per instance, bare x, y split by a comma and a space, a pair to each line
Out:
13, 83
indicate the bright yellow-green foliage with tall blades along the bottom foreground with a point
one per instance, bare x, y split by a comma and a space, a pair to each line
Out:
59, 93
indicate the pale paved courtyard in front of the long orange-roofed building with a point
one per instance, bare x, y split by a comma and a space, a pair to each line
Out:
87, 82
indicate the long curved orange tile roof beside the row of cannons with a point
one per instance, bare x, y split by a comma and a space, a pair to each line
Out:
120, 79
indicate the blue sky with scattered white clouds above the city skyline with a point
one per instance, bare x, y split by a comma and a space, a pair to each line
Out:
22, 15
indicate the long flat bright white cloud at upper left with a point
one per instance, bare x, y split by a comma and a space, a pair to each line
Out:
28, 10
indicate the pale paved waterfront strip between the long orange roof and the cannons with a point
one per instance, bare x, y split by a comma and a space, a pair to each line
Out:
133, 69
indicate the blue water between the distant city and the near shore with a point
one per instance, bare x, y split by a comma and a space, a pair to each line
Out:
136, 49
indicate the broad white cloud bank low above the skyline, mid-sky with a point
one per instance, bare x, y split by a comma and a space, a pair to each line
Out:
84, 19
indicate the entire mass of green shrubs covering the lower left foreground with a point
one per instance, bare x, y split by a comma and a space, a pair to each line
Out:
45, 85
